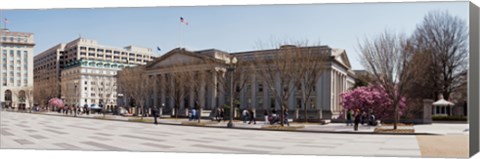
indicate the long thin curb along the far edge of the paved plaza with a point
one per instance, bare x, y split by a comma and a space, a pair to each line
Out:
241, 128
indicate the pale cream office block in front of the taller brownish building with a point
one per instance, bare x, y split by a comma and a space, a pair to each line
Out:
91, 83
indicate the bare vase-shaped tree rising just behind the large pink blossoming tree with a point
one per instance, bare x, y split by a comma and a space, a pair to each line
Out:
386, 57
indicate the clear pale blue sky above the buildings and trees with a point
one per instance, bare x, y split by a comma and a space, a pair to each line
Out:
227, 28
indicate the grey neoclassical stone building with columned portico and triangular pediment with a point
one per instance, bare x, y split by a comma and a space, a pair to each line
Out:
254, 93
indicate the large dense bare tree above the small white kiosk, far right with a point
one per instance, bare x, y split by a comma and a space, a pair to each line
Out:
441, 41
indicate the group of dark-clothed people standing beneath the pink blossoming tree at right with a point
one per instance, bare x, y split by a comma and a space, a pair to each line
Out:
359, 118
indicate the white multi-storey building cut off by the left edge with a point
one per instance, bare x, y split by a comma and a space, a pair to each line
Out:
16, 81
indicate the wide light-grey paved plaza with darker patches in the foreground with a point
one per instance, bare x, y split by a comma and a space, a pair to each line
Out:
39, 131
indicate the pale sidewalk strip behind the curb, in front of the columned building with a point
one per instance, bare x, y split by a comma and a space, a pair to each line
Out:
441, 129
